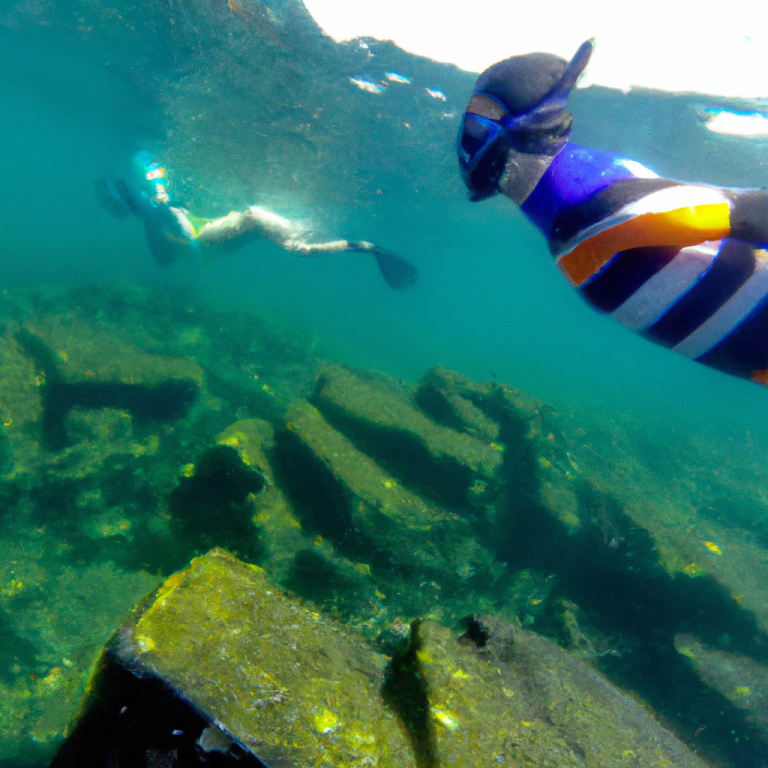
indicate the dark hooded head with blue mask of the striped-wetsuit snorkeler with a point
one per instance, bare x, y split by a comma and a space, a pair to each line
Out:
518, 105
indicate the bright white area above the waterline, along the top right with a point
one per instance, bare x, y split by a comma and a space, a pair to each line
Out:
704, 46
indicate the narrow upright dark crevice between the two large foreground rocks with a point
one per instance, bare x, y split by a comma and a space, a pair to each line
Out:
405, 692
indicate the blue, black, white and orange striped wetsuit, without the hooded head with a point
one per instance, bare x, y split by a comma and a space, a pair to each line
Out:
661, 256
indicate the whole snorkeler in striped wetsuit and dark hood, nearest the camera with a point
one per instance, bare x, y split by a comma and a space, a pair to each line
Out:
683, 264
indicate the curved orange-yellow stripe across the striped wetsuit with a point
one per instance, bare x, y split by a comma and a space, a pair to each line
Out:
680, 227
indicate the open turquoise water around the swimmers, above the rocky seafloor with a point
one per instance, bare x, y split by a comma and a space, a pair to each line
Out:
277, 122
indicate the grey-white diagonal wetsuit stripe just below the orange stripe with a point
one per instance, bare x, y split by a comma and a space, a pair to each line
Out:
660, 292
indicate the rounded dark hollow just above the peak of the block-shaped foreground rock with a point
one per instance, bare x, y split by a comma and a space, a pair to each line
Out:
211, 508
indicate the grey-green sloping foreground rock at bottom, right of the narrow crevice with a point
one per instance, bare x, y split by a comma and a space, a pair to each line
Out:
504, 695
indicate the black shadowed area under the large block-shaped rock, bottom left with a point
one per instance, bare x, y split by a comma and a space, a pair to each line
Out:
139, 722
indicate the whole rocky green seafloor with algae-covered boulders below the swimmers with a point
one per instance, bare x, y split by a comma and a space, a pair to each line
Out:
513, 584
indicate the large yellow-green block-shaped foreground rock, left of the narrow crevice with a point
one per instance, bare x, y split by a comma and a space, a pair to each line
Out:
281, 680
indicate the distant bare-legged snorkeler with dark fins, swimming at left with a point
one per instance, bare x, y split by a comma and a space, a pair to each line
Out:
172, 230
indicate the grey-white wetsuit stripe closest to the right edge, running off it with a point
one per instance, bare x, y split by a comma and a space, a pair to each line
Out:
731, 314
